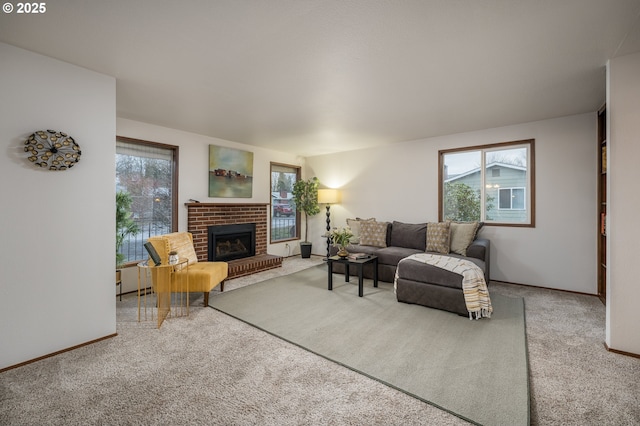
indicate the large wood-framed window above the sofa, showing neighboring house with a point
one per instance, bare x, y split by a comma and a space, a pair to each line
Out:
490, 183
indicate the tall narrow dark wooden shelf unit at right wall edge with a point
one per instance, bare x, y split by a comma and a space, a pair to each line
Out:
603, 146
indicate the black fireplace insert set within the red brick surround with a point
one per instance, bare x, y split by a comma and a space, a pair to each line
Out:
230, 242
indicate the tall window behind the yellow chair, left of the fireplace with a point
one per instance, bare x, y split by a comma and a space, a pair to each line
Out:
148, 172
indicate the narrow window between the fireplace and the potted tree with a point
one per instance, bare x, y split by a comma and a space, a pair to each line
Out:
284, 217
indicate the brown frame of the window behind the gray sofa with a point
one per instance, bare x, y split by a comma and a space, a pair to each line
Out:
529, 199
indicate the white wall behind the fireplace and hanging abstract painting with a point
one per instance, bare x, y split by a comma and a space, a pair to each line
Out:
194, 171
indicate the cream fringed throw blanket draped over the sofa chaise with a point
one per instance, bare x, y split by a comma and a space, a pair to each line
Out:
474, 287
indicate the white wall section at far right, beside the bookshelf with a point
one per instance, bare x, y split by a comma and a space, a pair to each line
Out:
623, 288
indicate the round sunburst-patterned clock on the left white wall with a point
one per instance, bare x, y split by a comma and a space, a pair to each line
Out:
52, 150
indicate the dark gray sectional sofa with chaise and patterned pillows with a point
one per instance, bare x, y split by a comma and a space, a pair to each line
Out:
420, 283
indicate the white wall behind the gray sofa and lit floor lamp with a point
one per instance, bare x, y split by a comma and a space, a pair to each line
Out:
400, 182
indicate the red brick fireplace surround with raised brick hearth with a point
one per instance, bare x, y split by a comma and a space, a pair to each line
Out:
200, 216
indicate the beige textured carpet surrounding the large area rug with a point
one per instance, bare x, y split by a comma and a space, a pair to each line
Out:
210, 369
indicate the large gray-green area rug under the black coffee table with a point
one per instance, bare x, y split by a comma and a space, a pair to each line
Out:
476, 370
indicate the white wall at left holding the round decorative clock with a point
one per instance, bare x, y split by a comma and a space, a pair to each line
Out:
57, 281
